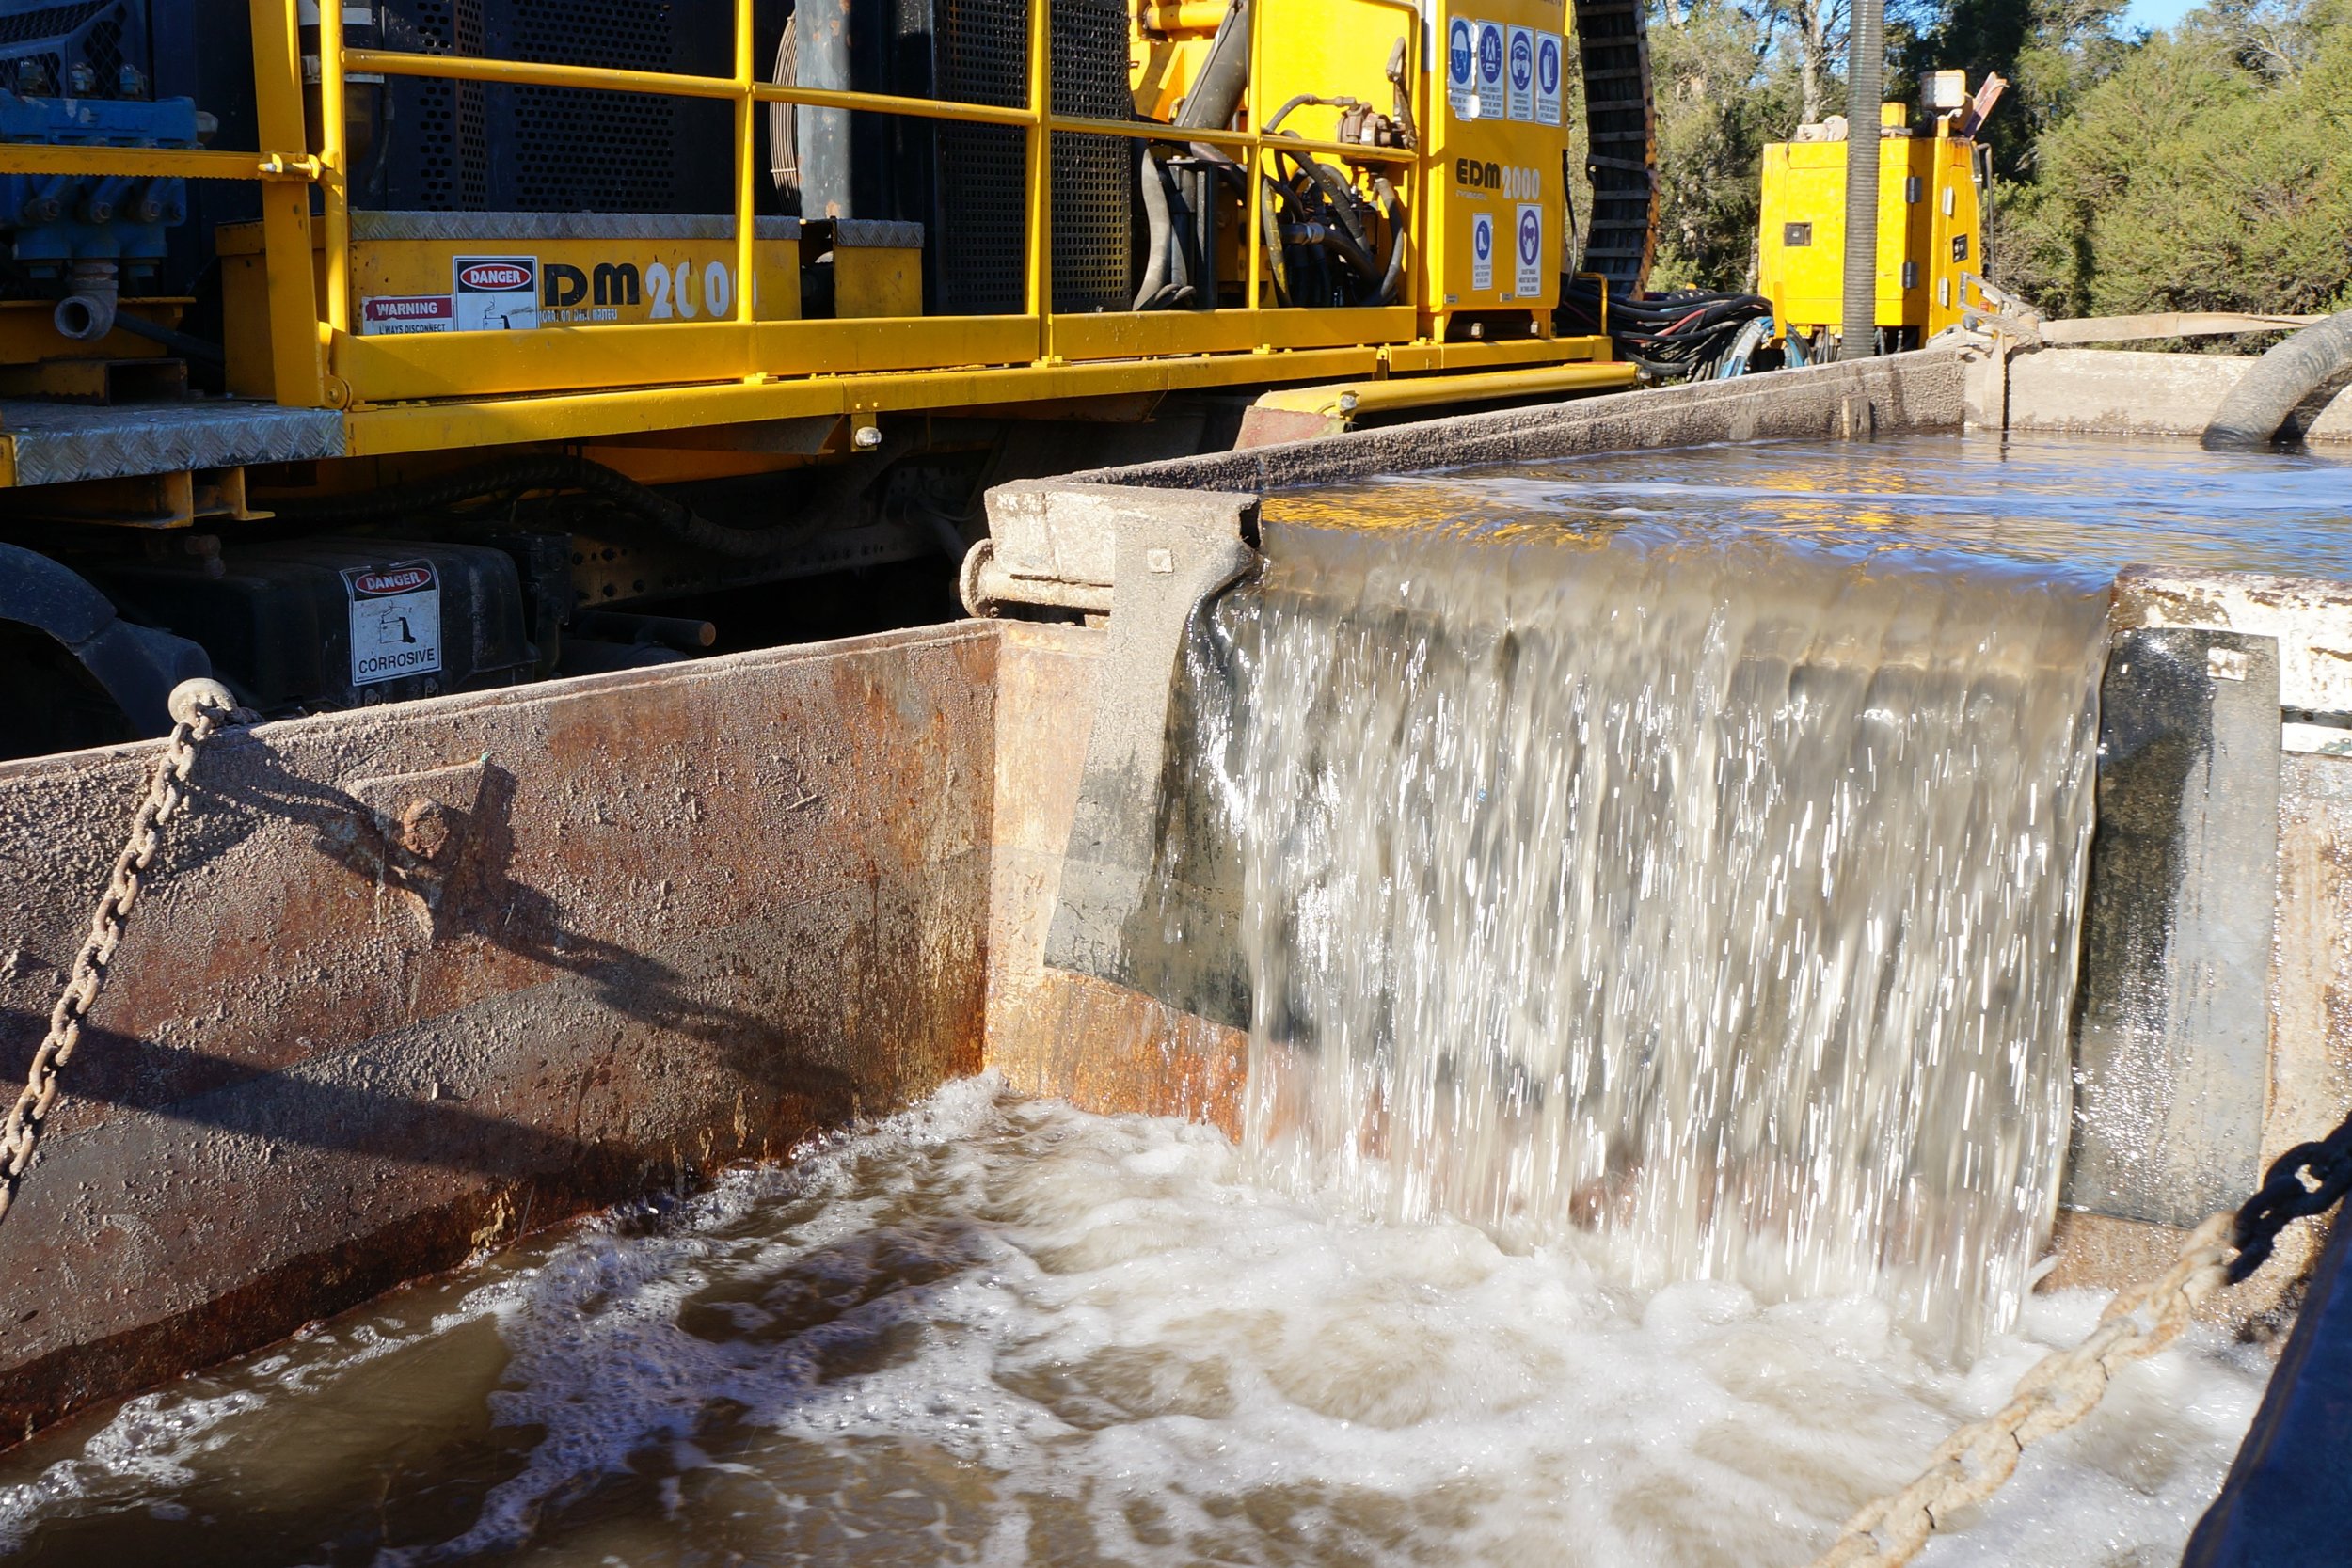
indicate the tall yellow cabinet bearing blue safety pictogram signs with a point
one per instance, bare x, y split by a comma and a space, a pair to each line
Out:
1497, 215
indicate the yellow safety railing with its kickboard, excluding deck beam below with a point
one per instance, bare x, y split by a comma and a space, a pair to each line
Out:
321, 363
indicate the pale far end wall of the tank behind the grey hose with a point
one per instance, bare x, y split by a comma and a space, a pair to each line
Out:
2118, 391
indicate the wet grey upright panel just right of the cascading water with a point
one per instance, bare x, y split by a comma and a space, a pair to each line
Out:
2172, 1050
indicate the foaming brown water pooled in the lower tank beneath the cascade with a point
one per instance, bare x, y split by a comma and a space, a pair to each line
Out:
1003, 1332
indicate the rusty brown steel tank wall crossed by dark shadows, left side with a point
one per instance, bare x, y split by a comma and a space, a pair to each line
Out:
420, 979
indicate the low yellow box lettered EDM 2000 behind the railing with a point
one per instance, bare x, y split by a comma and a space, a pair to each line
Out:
519, 272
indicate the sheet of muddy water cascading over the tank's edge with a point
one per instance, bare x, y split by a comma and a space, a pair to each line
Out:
1713, 897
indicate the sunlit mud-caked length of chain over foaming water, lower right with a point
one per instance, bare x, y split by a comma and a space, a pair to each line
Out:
2050, 1398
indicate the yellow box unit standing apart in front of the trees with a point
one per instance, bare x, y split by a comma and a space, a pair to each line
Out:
1930, 234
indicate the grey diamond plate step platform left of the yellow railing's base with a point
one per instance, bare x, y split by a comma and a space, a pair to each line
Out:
58, 443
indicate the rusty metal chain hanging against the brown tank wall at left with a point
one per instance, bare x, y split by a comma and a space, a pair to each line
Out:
199, 709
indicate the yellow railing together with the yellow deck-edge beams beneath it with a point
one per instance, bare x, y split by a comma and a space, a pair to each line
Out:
599, 380
